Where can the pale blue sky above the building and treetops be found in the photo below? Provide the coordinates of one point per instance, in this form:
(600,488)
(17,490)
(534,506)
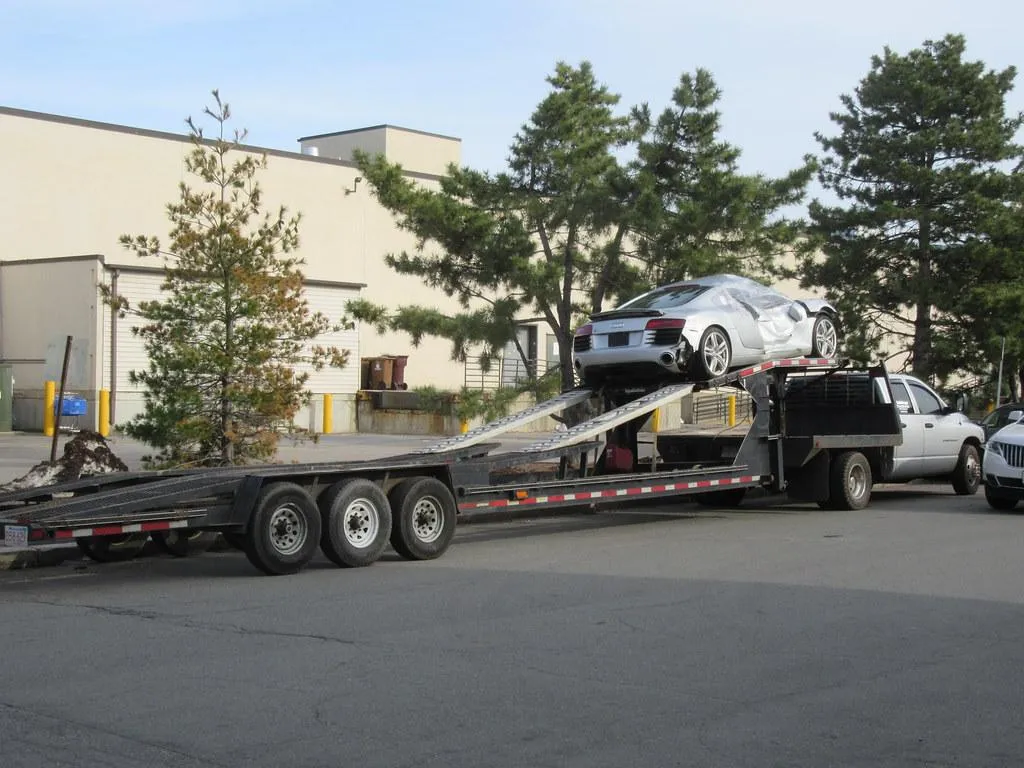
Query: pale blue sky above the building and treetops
(474,70)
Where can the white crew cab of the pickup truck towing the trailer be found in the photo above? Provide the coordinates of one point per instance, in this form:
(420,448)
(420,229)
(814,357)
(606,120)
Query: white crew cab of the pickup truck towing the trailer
(938,441)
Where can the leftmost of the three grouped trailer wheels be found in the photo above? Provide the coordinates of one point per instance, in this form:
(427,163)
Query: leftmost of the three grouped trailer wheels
(285,530)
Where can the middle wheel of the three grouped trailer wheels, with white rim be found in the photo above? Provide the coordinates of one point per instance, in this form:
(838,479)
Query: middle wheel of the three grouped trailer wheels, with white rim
(357,523)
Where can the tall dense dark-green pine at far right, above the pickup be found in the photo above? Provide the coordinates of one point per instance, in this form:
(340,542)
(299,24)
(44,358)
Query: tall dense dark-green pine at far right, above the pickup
(919,169)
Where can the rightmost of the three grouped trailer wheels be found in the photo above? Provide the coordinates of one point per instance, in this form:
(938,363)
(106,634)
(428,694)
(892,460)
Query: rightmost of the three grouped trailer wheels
(424,519)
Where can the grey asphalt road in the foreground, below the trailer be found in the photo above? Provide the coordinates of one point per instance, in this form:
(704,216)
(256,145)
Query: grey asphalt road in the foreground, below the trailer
(646,636)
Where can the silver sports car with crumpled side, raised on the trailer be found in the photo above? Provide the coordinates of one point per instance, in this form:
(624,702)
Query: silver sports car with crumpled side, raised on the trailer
(702,328)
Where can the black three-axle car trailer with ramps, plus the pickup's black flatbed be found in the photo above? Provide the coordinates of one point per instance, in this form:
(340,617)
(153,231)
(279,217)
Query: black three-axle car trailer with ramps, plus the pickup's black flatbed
(820,432)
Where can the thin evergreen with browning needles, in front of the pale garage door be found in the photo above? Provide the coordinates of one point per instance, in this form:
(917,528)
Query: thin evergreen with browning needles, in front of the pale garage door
(226,337)
